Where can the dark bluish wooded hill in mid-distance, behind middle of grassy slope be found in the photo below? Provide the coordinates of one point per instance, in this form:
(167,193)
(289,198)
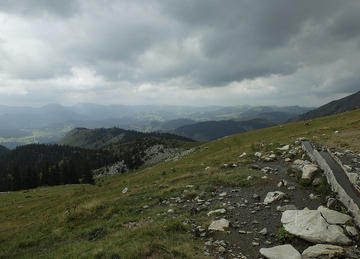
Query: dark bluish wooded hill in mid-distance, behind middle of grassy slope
(211,130)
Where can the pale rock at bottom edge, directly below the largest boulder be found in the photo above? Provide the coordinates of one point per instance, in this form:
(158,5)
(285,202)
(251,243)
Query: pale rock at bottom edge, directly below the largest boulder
(328,251)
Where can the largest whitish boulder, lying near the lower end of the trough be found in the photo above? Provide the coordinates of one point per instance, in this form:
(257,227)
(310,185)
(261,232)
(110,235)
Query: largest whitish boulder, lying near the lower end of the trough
(311,226)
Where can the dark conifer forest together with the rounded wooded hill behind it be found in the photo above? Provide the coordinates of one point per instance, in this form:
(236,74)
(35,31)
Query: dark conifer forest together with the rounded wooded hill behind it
(35,165)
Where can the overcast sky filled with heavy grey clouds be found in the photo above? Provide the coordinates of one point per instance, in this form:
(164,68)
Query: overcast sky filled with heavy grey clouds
(199,52)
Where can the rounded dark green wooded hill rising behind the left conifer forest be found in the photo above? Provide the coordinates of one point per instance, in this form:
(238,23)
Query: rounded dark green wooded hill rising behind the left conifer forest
(100,138)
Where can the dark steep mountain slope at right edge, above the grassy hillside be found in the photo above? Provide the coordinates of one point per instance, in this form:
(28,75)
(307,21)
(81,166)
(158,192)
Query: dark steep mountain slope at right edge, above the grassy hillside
(342,105)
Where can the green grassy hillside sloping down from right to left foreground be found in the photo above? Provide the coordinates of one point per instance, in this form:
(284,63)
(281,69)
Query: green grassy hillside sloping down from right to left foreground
(102,222)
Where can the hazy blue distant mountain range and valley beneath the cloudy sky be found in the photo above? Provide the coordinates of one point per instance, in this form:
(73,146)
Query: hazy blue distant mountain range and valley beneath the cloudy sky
(48,124)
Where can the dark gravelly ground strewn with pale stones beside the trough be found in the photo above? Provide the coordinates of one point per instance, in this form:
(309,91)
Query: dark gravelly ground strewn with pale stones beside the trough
(241,221)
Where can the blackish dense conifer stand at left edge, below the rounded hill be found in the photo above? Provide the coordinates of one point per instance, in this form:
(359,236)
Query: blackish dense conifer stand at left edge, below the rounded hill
(39,164)
